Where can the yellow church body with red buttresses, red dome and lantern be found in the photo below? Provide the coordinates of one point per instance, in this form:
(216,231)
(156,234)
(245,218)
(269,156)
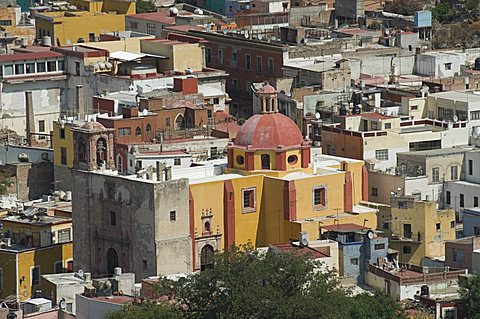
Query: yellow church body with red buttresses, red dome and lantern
(271,191)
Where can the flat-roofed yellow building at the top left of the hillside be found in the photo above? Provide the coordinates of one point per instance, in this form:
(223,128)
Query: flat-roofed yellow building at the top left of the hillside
(89,20)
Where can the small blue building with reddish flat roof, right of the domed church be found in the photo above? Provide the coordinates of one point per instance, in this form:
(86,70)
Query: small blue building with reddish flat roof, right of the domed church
(358,247)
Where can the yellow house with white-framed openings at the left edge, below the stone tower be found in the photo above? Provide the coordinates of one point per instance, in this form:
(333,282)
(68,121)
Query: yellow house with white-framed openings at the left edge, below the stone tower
(34,244)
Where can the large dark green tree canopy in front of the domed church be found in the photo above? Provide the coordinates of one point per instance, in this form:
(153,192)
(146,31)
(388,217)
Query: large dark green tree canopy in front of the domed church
(242,283)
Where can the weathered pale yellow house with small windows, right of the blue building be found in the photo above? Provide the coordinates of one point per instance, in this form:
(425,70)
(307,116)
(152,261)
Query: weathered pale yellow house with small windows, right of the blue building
(417,229)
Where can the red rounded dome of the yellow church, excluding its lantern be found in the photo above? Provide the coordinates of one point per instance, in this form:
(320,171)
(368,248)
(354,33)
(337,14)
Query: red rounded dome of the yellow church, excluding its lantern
(268,131)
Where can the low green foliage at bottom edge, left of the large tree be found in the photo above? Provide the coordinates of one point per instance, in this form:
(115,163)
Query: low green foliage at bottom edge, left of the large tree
(146,310)
